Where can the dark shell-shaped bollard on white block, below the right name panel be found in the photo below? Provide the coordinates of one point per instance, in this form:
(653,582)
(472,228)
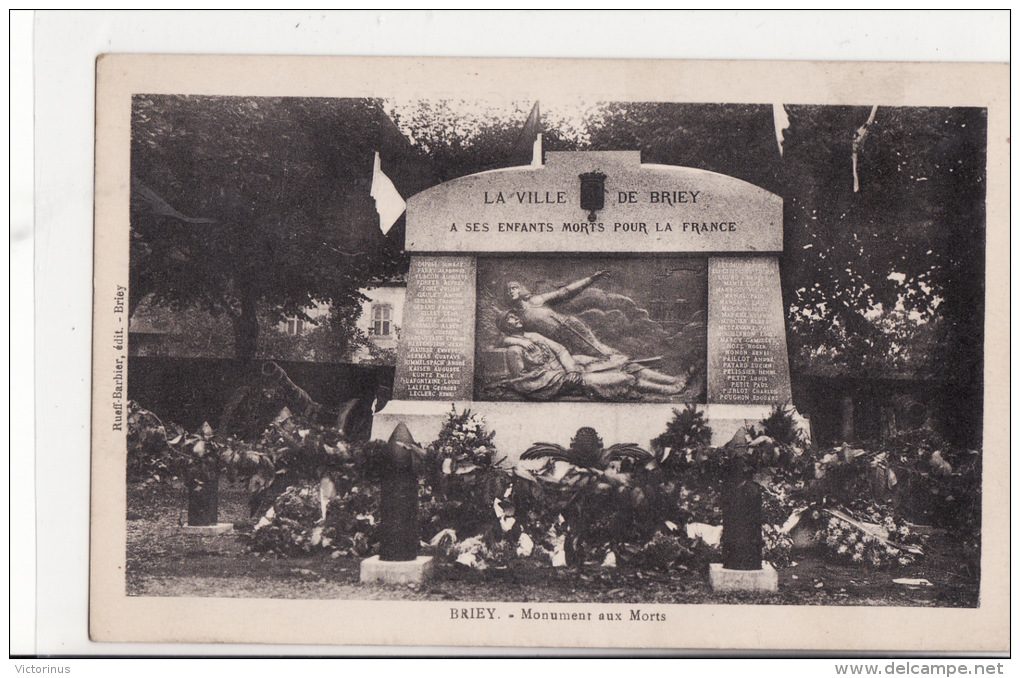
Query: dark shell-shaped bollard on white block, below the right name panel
(743,568)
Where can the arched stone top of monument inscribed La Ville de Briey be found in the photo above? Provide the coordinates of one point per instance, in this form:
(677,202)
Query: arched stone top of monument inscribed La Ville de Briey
(601,202)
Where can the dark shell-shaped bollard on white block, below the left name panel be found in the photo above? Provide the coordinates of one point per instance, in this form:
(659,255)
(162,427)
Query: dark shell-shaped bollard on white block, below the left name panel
(398,562)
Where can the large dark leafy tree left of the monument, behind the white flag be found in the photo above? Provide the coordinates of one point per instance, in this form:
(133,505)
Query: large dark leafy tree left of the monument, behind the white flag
(276,196)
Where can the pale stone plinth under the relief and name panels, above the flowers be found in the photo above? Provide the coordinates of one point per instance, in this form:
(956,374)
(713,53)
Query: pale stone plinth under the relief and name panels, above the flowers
(520,426)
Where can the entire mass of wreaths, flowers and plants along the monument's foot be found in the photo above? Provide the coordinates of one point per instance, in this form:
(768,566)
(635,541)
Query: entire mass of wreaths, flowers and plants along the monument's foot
(584,504)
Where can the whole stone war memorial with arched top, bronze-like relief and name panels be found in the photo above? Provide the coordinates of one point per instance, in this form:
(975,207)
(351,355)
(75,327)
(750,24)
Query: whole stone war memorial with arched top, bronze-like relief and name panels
(592,291)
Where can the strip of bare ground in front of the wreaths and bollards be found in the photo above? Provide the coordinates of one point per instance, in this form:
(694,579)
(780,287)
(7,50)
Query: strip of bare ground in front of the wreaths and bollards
(164,562)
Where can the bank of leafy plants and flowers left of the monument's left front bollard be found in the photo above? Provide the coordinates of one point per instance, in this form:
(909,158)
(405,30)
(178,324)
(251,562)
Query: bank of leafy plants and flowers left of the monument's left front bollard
(315,483)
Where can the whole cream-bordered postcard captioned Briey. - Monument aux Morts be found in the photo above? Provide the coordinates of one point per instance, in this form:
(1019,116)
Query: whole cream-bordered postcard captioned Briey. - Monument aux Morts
(551,353)
